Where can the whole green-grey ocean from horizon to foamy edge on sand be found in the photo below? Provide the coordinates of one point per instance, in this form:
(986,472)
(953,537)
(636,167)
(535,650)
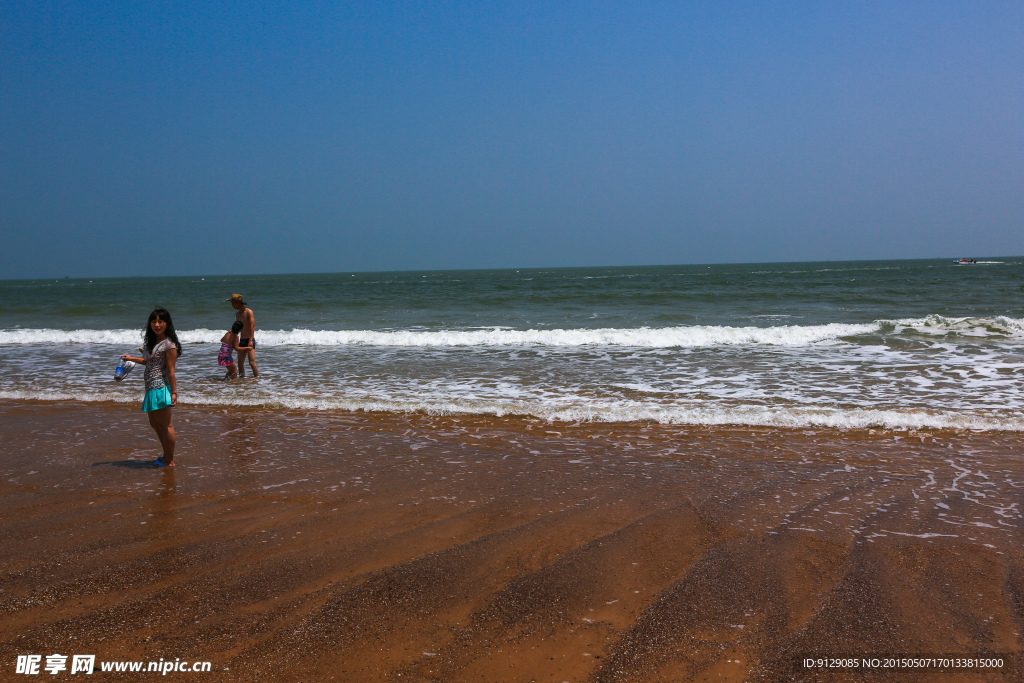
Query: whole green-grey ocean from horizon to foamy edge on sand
(894,346)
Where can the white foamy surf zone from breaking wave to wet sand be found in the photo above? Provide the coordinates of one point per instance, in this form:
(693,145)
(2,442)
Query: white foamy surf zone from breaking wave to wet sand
(786,376)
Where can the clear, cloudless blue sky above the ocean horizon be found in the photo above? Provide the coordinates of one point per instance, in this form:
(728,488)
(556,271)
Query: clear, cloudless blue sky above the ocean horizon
(243,138)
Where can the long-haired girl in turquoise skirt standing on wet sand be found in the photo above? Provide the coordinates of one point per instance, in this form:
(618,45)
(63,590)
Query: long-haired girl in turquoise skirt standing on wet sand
(160,353)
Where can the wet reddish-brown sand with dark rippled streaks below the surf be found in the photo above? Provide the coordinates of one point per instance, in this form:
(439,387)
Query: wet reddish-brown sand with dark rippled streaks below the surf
(353,547)
